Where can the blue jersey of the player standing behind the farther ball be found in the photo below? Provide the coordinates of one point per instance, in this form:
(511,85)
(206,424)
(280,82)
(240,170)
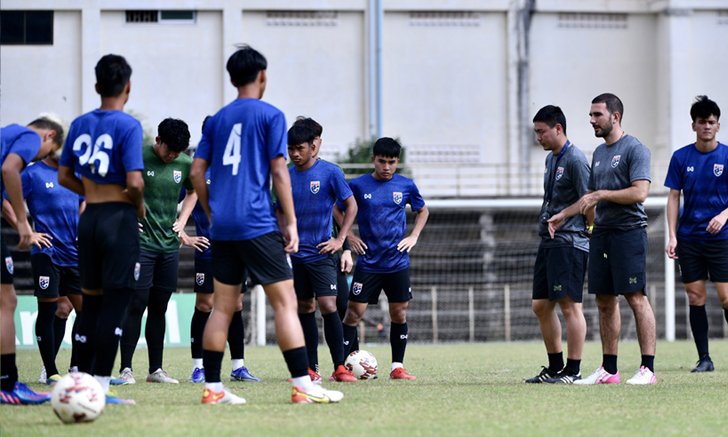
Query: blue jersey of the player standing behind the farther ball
(382,220)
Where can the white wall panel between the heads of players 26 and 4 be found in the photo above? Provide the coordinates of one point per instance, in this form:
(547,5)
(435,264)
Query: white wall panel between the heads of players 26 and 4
(177,68)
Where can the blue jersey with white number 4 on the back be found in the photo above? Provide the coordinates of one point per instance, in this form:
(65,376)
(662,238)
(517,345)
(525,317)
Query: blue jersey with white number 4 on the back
(238,143)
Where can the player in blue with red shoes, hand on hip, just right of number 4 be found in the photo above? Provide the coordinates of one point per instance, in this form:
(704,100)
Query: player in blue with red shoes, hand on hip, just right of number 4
(317,185)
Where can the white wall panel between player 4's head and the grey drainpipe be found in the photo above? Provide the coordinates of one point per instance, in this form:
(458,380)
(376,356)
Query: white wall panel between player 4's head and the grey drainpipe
(315,69)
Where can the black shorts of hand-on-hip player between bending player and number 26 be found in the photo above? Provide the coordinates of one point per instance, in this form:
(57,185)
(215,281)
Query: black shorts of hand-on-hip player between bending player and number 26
(51,280)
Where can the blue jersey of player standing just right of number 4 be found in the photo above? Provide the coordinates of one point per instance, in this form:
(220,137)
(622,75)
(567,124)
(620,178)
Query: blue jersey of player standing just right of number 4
(315,190)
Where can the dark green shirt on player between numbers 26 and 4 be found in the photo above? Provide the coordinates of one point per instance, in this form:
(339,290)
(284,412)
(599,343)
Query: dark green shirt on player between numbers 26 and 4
(162,186)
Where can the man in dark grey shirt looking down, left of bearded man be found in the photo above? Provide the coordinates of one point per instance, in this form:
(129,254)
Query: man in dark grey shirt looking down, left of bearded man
(561,260)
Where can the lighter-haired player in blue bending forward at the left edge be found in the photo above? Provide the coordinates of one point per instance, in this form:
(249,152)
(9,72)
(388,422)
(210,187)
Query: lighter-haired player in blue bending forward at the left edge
(18,147)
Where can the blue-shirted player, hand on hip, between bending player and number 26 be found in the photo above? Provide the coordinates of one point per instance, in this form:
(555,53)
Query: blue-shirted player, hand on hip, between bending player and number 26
(54,258)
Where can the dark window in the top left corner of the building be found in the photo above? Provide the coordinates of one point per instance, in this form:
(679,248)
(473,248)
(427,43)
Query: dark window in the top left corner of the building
(26,27)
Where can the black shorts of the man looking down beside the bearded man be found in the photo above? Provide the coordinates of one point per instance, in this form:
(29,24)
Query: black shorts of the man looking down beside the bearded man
(559,272)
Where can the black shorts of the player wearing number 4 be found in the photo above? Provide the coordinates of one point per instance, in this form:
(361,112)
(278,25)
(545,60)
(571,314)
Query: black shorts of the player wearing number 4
(262,258)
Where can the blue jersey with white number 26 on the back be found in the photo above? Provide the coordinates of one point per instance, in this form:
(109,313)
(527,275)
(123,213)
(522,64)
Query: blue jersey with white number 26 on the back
(103,146)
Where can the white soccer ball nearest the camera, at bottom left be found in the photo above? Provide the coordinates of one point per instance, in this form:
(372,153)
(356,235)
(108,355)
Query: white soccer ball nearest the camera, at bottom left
(78,397)
